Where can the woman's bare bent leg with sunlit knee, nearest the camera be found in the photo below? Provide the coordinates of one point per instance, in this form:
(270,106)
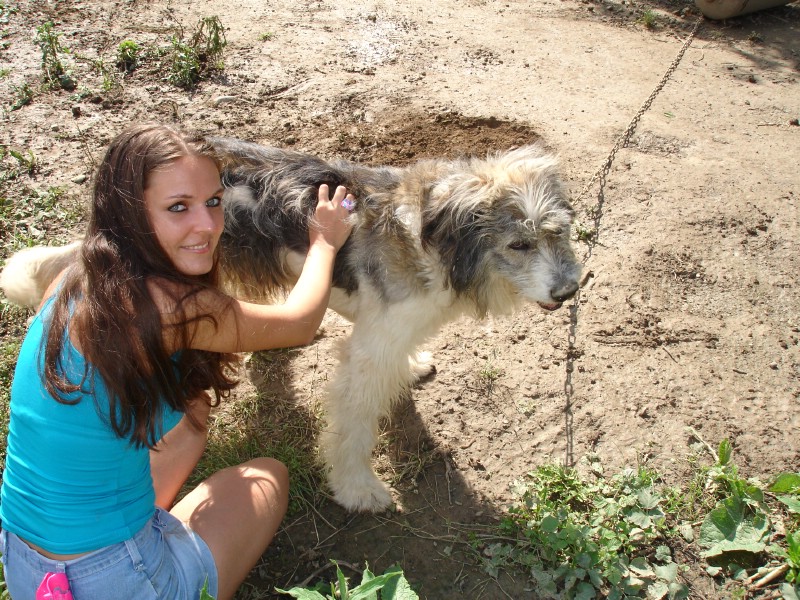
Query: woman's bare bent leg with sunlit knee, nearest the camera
(237,512)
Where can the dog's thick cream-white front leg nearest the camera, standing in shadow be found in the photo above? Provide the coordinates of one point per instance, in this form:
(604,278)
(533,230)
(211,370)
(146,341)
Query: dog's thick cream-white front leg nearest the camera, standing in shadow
(374,371)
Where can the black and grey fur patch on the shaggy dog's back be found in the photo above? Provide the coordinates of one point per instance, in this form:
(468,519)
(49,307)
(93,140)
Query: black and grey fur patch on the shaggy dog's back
(284,184)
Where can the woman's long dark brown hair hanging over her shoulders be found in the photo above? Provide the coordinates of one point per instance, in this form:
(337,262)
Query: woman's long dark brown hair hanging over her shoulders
(119,328)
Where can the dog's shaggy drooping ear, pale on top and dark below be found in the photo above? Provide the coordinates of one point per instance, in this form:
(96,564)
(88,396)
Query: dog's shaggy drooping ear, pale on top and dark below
(454,224)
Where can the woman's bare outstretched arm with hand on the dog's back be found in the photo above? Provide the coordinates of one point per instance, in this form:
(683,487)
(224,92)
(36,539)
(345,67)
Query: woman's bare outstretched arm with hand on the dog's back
(244,327)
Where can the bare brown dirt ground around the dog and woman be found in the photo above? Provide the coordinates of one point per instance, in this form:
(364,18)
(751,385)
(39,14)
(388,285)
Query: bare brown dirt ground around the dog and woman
(691,315)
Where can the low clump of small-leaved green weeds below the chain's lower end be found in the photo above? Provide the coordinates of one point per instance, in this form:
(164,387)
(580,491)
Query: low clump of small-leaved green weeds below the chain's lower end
(581,538)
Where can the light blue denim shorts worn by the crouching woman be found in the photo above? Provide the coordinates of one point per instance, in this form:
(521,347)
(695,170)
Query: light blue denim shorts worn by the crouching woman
(165,560)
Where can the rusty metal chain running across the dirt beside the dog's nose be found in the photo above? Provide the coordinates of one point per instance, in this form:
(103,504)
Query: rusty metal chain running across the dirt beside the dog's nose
(597,211)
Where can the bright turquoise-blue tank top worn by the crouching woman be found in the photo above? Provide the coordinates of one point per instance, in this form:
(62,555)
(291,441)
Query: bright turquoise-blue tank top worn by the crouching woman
(70,484)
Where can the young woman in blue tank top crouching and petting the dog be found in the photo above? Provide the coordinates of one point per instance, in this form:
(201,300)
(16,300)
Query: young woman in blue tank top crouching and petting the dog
(115,380)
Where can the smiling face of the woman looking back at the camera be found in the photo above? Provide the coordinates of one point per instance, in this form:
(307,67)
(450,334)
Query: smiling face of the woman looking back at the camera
(184,204)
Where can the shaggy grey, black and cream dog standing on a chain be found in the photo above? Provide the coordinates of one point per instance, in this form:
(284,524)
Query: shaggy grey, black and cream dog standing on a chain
(431,242)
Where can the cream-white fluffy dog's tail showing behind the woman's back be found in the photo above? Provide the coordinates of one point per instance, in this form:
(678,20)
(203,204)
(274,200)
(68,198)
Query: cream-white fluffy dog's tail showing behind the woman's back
(29,272)
